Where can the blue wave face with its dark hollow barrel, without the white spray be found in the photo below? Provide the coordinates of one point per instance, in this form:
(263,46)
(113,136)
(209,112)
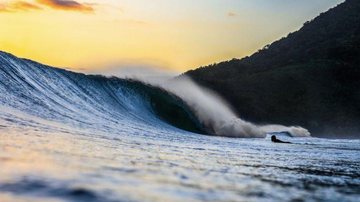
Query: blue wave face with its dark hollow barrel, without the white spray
(63,98)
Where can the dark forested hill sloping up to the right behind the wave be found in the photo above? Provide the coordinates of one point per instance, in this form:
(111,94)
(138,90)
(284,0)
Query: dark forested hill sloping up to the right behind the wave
(310,78)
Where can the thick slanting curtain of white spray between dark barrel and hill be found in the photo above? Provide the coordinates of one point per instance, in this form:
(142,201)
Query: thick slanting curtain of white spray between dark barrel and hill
(212,111)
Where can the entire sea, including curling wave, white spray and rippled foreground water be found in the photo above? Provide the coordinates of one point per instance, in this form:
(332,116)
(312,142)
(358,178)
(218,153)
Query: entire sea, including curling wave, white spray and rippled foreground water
(71,137)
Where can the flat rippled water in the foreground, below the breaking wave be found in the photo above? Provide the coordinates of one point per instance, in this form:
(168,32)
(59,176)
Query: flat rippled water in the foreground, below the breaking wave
(45,166)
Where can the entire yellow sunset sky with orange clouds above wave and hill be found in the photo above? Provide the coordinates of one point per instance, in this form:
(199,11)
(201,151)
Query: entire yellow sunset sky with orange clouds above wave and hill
(177,35)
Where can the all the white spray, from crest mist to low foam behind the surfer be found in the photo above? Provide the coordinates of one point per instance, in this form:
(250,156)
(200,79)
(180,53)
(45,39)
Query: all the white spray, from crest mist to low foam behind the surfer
(212,111)
